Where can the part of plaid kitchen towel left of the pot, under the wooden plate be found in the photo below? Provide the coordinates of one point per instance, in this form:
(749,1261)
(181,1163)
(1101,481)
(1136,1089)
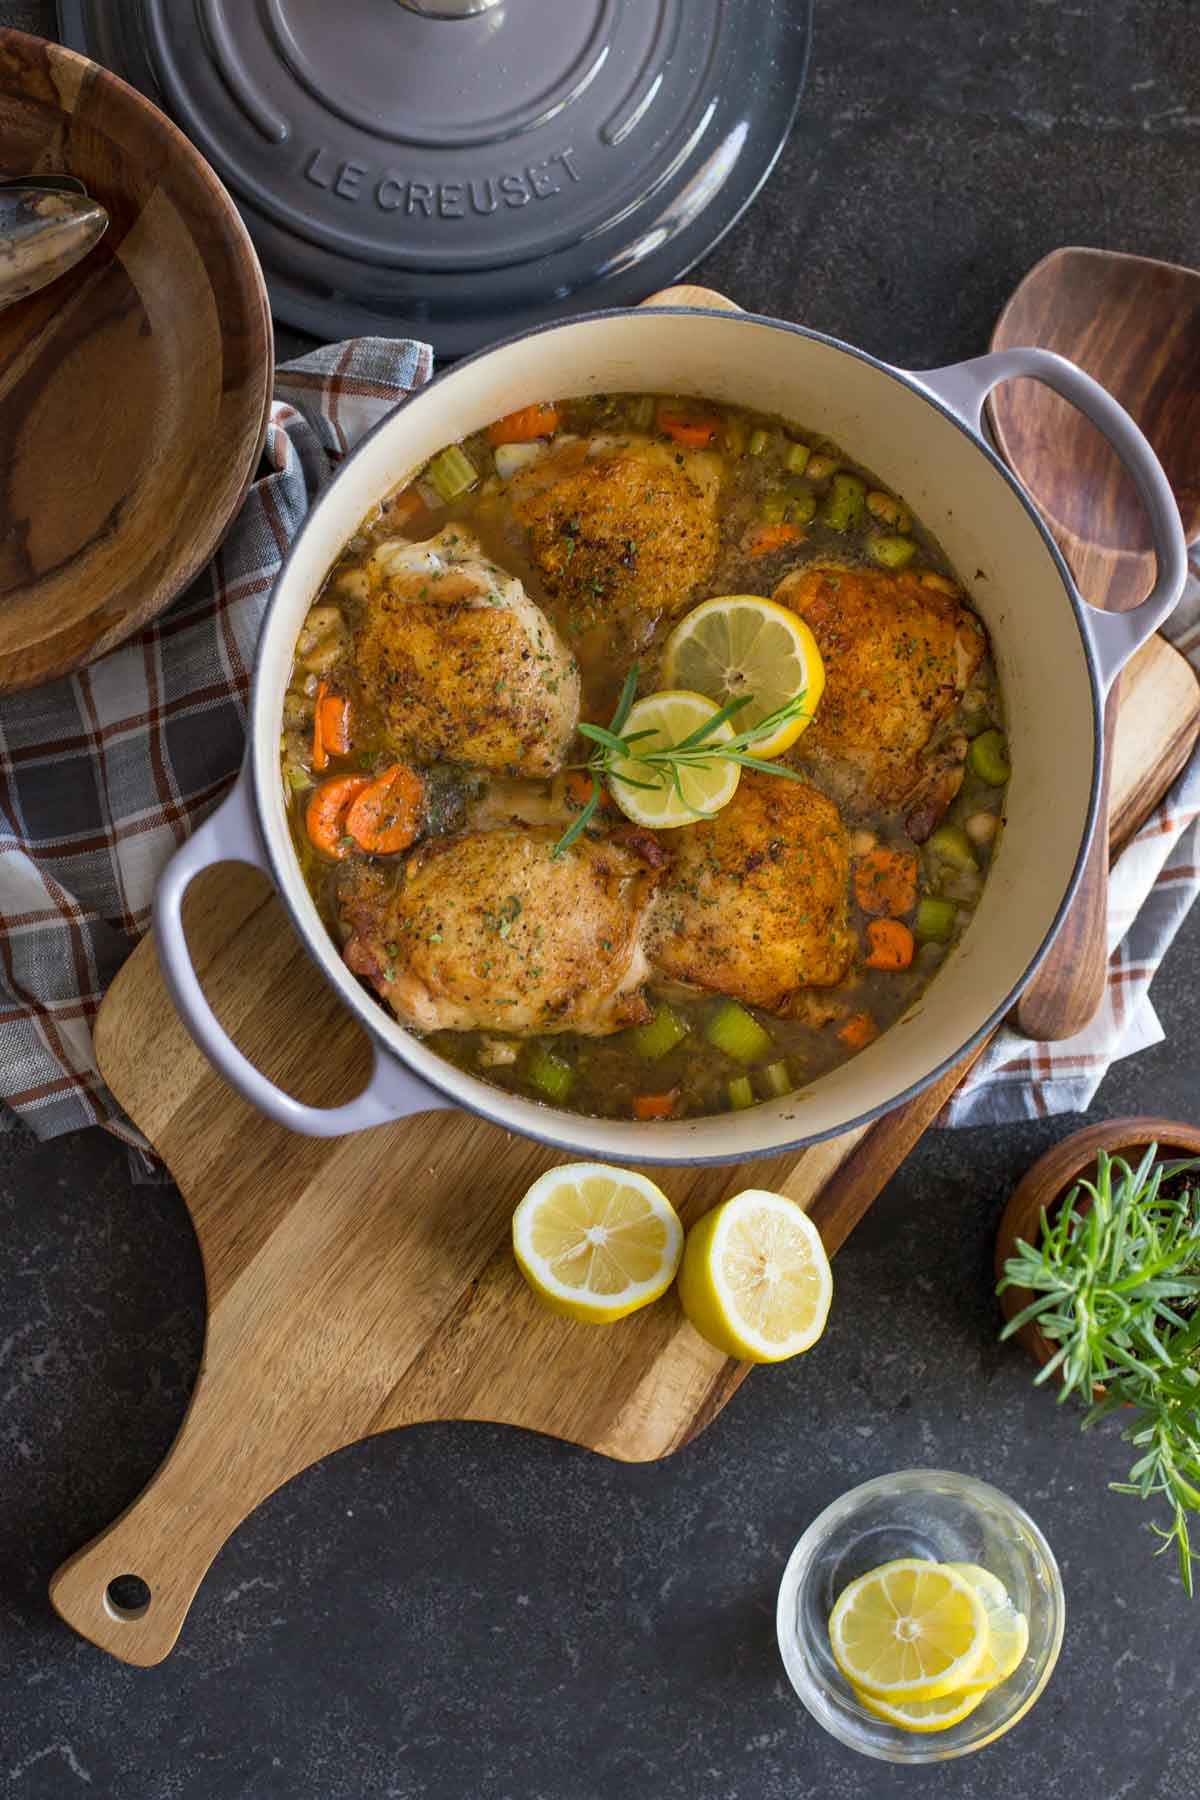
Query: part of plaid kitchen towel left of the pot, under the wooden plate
(105,775)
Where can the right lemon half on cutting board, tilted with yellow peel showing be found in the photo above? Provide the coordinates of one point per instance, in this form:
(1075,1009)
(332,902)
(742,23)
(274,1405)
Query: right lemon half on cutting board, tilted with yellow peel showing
(757,1281)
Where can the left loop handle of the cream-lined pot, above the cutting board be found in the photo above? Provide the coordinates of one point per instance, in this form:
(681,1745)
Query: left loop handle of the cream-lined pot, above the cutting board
(231,836)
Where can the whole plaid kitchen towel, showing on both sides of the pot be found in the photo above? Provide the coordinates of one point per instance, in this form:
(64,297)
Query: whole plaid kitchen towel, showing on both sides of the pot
(105,775)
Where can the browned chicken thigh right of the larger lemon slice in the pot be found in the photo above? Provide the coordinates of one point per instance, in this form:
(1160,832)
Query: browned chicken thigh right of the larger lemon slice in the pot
(899,656)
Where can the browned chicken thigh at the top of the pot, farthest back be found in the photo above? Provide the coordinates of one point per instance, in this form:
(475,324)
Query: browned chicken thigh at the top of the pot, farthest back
(620,526)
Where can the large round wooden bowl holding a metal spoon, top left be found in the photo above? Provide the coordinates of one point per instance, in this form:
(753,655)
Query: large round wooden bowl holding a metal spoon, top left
(134,391)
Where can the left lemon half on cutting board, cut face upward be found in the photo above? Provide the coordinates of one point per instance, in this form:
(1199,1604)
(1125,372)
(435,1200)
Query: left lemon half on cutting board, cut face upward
(596,1243)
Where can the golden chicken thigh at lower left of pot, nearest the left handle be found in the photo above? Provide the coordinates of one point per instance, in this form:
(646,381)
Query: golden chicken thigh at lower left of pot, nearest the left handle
(492,931)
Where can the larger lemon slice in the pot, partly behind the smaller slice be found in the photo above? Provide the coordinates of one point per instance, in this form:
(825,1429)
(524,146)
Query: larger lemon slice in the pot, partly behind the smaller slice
(742,645)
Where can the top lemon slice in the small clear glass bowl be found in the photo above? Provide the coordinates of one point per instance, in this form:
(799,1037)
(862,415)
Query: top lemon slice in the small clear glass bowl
(908,1632)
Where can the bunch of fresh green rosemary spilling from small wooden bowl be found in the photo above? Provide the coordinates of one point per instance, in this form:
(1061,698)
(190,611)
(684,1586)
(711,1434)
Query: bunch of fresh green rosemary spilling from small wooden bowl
(1116,1282)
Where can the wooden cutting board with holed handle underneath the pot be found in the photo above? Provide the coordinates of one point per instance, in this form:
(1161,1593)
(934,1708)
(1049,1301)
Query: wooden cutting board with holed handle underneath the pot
(363,1284)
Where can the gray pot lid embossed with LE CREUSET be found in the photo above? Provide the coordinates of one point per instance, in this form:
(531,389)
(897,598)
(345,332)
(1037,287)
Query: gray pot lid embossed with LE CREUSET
(467,168)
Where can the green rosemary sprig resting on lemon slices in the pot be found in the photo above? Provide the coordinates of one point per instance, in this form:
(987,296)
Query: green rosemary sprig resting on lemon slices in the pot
(699,750)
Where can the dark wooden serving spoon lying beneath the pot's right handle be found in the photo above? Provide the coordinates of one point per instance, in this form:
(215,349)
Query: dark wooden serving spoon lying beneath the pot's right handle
(1134,325)
